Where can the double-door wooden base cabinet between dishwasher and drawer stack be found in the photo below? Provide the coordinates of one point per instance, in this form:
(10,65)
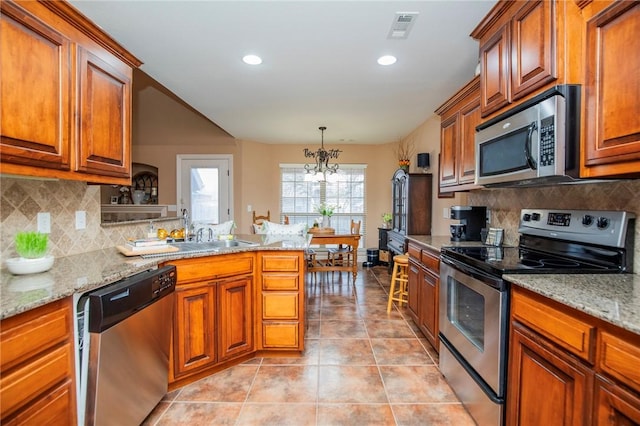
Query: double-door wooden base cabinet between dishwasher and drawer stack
(214,321)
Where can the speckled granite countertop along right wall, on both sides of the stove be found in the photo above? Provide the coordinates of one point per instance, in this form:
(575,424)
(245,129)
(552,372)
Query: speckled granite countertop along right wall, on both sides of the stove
(614,298)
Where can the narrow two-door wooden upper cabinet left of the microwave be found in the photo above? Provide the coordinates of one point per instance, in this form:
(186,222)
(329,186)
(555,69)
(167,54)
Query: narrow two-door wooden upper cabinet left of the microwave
(459,117)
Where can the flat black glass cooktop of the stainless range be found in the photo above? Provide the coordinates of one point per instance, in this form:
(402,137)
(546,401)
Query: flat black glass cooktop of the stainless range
(517,260)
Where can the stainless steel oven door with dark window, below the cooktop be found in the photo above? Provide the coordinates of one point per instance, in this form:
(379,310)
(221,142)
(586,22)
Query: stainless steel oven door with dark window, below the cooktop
(473,321)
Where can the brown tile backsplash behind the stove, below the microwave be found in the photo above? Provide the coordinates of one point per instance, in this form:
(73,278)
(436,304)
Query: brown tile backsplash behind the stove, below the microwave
(505,204)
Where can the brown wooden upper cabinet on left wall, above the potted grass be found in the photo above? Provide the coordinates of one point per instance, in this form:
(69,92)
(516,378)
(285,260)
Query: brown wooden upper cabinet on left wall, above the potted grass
(66,95)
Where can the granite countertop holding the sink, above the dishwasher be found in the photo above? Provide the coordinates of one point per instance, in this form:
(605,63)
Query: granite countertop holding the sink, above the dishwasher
(80,273)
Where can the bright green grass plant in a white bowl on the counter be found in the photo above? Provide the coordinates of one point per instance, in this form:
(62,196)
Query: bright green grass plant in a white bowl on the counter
(32,249)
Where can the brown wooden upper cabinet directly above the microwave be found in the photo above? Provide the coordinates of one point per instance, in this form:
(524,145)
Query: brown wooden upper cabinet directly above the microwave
(523,47)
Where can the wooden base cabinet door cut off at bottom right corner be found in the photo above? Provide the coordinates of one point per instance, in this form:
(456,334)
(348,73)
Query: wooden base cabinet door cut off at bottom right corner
(614,405)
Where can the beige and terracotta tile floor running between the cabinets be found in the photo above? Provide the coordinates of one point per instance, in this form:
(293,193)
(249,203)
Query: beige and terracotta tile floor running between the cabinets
(361,366)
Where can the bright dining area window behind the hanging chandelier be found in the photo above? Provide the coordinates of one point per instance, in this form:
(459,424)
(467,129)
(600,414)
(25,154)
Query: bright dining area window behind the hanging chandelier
(301,195)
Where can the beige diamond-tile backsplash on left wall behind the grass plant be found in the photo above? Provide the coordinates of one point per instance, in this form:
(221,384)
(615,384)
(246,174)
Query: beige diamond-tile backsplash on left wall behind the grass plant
(22,199)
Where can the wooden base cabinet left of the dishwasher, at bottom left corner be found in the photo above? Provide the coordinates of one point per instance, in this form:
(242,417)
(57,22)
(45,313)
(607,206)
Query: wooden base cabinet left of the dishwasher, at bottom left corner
(37,384)
